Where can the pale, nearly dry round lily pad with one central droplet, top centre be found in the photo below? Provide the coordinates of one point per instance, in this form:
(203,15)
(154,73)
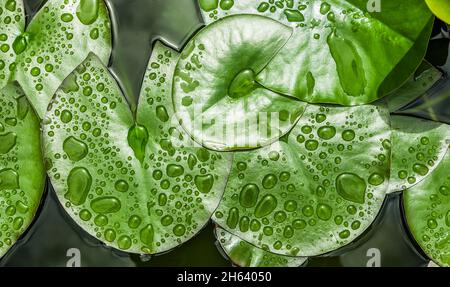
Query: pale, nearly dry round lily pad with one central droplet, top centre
(215,93)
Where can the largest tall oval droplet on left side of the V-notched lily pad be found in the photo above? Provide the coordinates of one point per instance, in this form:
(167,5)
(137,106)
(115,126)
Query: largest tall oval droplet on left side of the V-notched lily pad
(79,184)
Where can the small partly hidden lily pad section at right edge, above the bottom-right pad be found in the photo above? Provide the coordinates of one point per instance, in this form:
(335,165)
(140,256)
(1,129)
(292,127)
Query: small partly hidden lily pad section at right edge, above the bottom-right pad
(418,146)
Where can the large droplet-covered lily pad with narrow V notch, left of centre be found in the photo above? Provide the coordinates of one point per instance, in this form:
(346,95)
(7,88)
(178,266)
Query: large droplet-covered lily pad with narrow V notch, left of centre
(134,184)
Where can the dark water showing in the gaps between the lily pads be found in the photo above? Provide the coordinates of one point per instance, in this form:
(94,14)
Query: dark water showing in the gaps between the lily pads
(54,238)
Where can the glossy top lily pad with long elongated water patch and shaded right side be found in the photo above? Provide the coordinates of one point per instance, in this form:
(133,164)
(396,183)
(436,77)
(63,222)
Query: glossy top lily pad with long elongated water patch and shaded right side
(339,52)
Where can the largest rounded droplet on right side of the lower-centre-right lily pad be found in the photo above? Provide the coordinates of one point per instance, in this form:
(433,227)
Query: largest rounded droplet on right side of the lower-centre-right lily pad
(351,187)
